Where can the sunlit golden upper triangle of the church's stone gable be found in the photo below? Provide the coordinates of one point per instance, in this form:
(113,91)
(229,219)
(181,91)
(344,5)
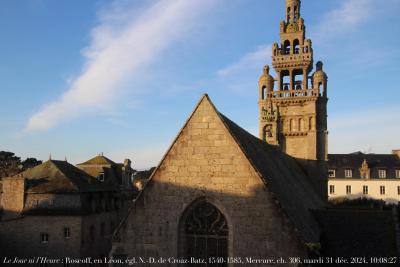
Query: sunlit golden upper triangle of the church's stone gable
(204,154)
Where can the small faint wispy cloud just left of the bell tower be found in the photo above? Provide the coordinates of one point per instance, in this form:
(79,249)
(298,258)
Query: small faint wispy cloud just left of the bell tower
(251,61)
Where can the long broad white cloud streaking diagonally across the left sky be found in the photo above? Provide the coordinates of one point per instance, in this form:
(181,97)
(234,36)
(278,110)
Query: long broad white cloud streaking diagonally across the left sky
(121,46)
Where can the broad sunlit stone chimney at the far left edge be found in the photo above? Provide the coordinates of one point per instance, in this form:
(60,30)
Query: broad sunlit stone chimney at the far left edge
(12,199)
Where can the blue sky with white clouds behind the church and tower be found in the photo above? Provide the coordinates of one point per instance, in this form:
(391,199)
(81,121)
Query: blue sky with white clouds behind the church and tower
(79,78)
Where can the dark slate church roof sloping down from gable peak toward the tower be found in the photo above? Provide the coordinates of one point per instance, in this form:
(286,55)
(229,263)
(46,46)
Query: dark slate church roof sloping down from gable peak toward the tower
(280,173)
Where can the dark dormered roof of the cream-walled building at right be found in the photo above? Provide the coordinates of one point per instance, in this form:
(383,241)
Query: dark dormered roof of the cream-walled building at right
(354,160)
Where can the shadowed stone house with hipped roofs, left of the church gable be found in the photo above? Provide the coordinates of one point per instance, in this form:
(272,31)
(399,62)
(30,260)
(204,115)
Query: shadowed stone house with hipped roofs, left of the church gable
(57,210)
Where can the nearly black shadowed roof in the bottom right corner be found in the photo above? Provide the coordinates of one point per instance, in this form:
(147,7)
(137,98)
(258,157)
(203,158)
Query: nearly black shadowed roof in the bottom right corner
(355,232)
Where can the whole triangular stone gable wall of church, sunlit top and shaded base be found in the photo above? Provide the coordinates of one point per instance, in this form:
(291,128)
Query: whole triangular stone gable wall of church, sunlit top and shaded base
(206,168)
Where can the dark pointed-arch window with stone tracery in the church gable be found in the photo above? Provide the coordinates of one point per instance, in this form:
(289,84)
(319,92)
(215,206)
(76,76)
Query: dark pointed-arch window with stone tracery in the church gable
(203,233)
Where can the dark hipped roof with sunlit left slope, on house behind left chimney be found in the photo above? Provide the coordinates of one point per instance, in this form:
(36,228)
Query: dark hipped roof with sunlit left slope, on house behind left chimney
(55,176)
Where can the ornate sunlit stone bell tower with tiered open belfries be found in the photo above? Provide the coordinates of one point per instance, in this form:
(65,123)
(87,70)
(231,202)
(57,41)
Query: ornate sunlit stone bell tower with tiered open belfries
(293,106)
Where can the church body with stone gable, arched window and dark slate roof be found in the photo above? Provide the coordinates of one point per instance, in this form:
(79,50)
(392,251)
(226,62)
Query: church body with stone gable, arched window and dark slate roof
(219,191)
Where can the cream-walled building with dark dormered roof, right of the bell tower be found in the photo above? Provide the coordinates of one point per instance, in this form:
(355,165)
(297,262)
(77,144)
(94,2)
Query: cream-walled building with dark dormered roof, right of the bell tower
(360,175)
